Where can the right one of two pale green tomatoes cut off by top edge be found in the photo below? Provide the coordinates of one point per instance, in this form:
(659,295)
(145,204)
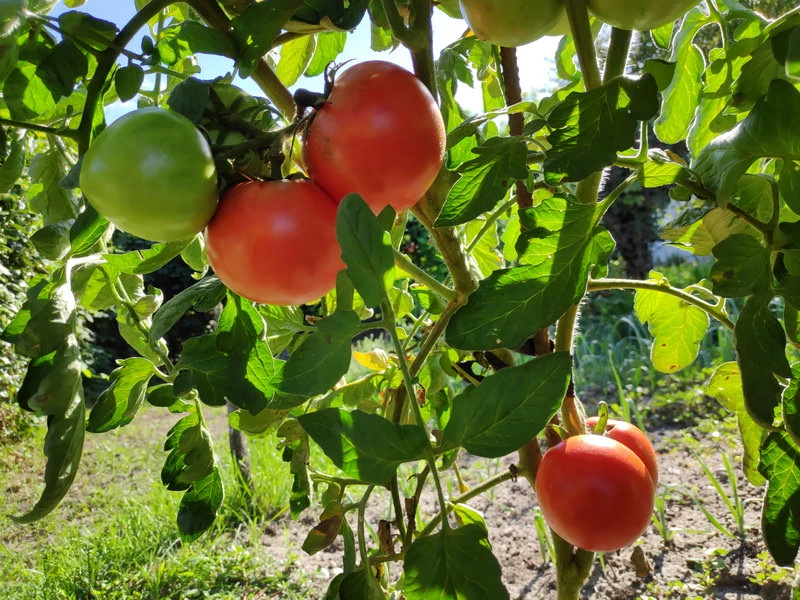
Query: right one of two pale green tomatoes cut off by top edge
(639,15)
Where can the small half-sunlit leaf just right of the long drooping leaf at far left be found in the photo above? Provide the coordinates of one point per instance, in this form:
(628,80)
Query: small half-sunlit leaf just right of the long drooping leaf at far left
(119,403)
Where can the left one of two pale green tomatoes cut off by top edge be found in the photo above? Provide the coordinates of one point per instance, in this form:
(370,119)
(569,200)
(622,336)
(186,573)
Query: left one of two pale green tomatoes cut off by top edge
(512,23)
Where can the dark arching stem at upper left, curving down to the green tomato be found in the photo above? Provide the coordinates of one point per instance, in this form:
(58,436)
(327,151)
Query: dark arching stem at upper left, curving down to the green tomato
(105,63)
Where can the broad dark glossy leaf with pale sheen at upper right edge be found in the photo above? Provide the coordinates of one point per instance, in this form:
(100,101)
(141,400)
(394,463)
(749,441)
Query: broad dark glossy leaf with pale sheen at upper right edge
(763,133)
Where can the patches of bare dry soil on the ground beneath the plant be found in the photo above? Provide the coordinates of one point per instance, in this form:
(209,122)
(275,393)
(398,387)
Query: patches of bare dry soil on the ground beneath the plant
(698,562)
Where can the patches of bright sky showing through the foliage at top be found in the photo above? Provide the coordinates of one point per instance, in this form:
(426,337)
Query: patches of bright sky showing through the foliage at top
(535,69)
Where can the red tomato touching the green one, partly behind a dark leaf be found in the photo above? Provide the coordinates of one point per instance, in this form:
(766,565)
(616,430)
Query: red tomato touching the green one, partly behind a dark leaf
(275,242)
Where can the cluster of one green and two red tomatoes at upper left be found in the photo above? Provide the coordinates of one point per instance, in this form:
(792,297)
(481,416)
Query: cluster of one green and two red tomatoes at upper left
(380,134)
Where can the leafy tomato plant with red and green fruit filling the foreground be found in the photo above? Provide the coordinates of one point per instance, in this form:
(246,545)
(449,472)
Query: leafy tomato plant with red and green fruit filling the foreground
(480,327)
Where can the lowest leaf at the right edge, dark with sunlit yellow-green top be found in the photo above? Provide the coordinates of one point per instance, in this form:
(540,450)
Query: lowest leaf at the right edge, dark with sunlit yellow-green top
(780,464)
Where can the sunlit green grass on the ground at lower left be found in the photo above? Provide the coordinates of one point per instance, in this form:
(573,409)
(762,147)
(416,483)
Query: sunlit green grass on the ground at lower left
(115,536)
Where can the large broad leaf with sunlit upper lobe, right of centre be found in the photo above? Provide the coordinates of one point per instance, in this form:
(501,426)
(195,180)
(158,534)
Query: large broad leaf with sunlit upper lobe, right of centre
(558,251)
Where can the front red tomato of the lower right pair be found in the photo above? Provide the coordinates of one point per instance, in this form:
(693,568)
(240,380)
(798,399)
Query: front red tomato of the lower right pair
(594,492)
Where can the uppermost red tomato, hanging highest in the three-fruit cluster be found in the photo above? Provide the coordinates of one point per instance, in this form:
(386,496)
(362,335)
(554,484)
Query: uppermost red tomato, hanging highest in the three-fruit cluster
(380,134)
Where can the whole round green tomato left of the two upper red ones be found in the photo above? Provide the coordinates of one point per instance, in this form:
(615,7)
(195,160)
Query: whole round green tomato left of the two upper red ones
(151,173)
